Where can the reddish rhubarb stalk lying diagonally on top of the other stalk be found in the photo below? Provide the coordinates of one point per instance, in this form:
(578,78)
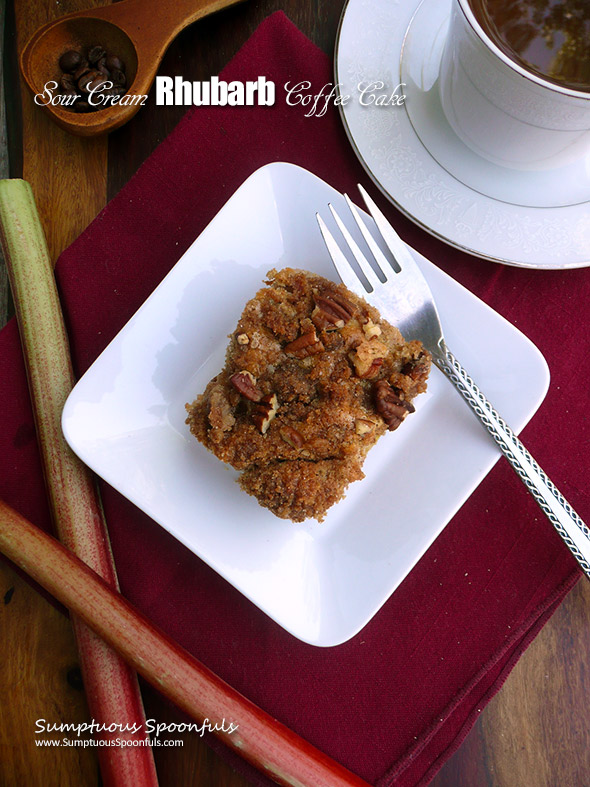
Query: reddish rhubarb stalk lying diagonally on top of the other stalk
(266,743)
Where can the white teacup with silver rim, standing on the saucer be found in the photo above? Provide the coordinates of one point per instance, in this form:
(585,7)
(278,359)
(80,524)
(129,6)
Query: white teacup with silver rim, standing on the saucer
(503,112)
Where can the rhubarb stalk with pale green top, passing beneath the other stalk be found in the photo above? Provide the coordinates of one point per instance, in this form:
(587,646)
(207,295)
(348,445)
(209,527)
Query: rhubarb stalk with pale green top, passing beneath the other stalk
(111,686)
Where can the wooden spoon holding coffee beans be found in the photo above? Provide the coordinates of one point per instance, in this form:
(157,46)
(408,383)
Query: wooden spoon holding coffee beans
(136,31)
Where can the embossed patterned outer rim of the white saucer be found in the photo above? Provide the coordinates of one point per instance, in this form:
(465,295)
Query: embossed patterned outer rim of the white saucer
(369,46)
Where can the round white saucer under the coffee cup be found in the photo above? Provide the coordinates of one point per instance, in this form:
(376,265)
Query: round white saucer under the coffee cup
(529,219)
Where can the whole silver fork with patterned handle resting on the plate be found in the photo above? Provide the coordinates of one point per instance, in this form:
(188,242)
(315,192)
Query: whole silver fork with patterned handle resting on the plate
(406,294)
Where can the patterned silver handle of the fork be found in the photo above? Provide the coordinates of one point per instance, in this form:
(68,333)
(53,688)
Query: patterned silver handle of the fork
(559,512)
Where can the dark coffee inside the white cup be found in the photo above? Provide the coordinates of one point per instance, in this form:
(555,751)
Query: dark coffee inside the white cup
(550,38)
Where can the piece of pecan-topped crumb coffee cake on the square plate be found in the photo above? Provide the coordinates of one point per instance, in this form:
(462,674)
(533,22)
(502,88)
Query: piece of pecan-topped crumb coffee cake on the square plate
(313,377)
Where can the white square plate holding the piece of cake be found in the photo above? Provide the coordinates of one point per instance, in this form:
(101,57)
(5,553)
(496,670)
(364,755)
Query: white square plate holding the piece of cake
(322,582)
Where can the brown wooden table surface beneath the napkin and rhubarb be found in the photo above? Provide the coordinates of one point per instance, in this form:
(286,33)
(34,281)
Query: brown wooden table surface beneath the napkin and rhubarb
(535,733)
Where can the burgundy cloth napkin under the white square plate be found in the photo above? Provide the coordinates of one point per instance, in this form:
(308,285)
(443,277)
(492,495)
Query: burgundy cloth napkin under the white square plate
(396,700)
